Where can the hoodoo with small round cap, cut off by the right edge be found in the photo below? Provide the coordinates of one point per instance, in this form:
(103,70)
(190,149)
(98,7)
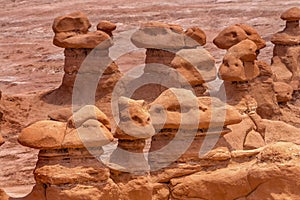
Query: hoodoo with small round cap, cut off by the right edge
(286,51)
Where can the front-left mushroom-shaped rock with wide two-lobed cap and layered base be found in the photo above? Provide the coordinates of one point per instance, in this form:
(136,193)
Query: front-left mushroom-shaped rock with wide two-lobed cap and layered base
(66,159)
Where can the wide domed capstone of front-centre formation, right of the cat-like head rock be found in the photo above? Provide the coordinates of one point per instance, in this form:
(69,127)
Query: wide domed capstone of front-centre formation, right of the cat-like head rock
(174,106)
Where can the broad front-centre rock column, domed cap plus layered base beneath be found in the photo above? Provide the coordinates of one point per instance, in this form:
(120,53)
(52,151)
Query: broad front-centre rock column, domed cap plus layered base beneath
(182,122)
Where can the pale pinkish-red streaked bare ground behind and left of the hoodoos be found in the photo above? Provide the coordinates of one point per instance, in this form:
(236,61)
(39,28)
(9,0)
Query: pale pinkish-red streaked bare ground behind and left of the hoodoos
(30,63)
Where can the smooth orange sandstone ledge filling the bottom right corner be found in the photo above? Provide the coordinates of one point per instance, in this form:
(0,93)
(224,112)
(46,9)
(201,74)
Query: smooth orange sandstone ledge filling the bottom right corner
(251,180)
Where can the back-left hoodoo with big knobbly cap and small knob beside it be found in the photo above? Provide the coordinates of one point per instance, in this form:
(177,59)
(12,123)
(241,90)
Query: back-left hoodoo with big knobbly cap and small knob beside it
(86,56)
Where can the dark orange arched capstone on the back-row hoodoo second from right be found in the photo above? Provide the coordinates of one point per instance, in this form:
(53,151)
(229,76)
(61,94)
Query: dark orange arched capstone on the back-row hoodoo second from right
(234,34)
